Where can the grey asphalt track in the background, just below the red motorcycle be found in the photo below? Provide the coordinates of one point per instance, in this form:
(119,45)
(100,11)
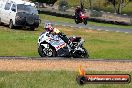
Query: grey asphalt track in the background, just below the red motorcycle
(91,27)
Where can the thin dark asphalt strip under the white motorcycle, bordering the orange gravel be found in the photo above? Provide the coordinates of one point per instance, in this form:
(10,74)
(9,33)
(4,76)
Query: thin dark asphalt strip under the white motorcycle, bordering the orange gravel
(61,58)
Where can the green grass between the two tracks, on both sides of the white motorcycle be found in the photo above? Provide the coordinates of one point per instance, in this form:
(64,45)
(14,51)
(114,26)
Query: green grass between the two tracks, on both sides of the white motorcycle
(107,45)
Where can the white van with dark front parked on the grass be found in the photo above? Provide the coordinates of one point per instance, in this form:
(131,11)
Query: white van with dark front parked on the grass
(19,13)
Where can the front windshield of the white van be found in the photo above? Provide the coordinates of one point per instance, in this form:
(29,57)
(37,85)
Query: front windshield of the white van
(27,9)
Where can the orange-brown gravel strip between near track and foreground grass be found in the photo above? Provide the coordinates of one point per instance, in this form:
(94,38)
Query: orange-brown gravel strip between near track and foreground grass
(70,65)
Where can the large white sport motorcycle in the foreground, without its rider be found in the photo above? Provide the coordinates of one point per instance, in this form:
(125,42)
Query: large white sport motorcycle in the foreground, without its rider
(50,45)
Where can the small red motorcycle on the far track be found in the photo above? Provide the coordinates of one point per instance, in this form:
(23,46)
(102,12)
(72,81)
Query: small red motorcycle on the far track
(81,19)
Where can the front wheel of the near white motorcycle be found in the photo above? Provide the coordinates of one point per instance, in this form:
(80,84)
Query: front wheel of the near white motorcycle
(46,52)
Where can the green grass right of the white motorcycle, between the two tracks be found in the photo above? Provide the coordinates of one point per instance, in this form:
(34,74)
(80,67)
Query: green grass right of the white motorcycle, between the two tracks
(105,44)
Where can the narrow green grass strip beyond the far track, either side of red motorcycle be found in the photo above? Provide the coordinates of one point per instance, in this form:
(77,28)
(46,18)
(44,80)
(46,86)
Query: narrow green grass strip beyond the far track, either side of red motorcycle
(61,19)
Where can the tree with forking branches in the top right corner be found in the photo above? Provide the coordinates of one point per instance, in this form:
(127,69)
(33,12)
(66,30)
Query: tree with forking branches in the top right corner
(119,5)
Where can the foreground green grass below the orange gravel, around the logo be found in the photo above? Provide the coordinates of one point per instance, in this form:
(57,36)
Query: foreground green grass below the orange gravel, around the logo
(52,79)
